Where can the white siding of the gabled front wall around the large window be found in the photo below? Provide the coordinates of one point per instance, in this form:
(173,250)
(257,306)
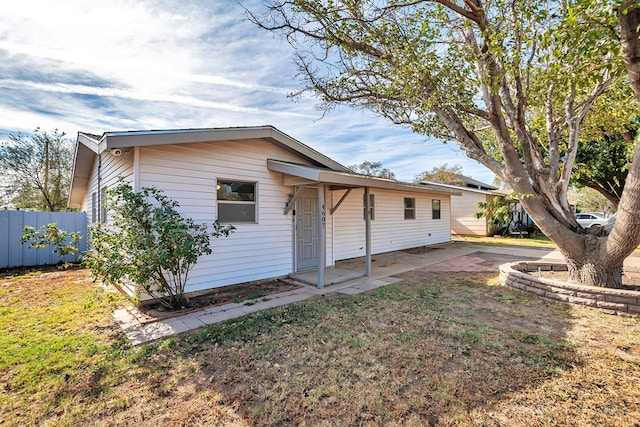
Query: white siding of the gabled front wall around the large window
(188,173)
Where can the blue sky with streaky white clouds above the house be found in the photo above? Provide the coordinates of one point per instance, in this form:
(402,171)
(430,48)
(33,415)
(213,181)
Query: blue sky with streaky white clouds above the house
(112,65)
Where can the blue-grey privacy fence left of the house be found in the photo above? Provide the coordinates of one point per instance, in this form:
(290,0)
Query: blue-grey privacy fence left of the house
(14,254)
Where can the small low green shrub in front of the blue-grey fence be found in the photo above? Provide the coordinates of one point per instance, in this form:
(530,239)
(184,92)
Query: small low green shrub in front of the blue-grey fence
(65,242)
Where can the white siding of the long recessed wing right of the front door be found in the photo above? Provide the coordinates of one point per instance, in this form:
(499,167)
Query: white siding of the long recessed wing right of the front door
(389,230)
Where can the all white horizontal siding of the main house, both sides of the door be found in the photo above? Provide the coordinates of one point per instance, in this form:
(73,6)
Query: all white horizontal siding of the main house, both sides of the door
(188,173)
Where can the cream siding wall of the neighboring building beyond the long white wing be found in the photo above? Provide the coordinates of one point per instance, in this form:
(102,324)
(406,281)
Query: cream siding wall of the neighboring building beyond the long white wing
(463,208)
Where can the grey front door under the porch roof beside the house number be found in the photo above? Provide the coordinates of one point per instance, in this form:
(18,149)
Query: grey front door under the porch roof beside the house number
(307,229)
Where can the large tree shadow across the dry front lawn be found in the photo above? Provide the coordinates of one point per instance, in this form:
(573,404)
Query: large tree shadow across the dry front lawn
(433,349)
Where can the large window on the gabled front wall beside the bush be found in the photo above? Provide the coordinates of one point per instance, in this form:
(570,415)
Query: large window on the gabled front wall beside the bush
(236,201)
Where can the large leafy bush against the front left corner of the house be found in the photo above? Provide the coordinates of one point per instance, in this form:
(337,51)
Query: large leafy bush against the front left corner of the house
(149,243)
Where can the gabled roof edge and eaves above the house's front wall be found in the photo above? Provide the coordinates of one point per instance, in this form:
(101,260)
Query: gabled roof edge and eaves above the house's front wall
(89,146)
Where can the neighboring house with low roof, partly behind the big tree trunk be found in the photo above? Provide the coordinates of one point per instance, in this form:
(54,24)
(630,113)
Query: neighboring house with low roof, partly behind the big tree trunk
(464,208)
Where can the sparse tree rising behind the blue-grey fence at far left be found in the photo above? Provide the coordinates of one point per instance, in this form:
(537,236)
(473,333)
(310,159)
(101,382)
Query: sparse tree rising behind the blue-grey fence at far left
(37,170)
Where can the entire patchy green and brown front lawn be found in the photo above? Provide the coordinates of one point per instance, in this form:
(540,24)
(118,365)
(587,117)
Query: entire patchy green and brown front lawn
(439,349)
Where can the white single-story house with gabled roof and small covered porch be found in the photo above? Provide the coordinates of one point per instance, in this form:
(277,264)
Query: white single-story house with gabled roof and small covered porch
(293,207)
